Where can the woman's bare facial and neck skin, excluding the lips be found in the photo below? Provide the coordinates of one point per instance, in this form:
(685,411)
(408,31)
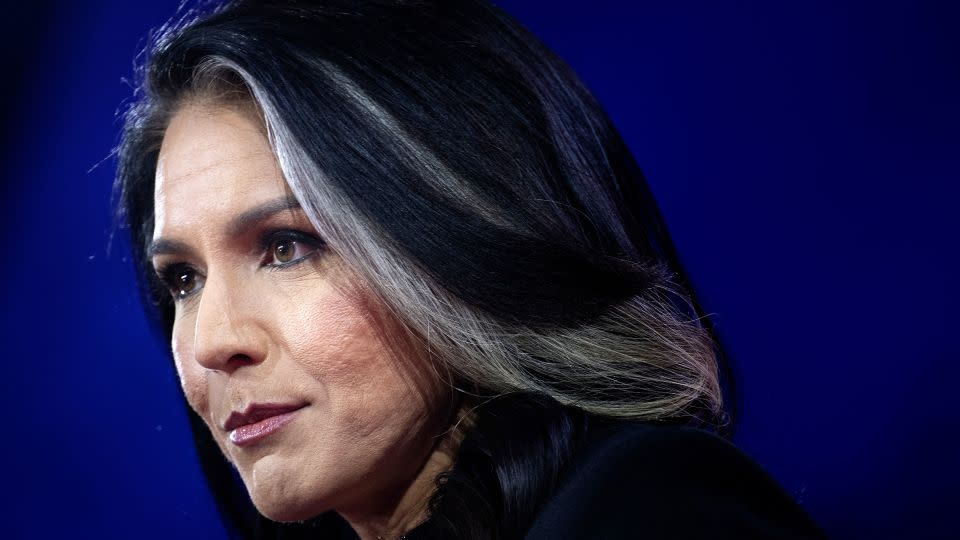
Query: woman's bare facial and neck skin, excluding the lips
(372,434)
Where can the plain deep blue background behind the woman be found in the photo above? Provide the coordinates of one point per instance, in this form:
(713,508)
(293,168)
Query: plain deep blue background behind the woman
(806,158)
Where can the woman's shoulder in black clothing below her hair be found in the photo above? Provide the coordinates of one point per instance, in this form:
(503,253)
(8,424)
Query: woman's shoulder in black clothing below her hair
(657,481)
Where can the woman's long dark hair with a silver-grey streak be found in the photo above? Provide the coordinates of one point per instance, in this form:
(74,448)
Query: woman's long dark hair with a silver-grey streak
(463,171)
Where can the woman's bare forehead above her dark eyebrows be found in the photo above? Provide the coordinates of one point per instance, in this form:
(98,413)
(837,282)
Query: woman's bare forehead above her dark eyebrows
(213,162)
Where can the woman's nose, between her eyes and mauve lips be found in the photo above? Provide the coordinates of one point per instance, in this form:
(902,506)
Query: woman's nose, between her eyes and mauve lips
(226,334)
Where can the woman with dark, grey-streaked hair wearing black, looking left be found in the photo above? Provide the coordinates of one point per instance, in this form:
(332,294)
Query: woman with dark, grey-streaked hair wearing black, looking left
(416,287)
